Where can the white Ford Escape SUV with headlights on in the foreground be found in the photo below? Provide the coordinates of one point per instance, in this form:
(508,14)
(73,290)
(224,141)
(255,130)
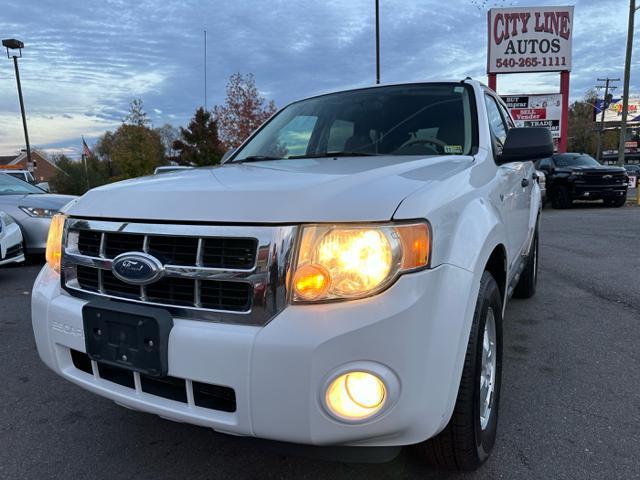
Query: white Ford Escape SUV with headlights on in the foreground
(341,280)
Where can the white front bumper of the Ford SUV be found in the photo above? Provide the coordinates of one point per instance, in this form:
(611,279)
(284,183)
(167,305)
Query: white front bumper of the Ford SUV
(418,329)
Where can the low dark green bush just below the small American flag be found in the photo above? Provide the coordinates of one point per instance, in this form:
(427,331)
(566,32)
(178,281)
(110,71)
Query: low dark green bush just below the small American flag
(73,178)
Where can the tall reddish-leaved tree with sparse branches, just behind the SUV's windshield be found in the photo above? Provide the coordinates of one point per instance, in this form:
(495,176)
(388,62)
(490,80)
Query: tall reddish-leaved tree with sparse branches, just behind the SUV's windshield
(243,112)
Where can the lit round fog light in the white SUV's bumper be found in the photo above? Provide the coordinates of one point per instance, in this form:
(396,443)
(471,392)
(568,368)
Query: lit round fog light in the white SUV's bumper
(356,395)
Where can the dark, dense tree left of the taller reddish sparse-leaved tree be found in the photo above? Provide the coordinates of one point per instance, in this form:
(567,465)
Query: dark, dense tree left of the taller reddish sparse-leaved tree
(199,143)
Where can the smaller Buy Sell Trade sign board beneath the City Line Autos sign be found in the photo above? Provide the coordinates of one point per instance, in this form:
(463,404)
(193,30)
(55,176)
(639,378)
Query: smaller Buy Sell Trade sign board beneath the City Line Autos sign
(536,111)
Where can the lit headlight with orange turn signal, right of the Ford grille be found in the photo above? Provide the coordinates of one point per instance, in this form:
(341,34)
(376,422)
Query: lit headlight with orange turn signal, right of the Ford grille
(340,262)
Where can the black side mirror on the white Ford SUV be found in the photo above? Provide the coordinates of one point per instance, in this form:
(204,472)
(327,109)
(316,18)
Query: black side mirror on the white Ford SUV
(526,144)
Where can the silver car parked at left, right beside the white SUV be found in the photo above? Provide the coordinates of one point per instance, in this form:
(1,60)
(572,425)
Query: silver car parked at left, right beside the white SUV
(31,208)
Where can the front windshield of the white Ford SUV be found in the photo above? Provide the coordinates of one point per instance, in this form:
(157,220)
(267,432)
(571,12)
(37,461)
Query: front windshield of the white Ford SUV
(422,119)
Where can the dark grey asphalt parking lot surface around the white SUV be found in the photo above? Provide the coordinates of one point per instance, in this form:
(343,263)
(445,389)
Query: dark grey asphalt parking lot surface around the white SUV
(570,401)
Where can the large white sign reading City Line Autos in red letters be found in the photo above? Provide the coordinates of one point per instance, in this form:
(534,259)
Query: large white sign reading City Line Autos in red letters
(530,39)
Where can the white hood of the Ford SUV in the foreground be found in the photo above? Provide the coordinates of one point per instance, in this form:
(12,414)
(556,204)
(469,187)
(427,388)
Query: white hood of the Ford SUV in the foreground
(280,191)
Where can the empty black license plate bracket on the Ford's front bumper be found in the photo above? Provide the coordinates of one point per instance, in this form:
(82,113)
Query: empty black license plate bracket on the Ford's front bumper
(128,336)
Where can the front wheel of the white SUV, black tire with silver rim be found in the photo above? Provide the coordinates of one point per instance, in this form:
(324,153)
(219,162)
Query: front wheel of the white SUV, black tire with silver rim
(467,440)
